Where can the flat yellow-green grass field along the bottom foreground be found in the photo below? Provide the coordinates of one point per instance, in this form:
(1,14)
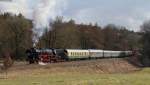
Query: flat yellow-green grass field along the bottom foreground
(41,77)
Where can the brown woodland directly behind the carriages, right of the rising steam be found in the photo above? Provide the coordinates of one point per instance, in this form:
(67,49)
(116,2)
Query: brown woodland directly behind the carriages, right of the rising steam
(68,34)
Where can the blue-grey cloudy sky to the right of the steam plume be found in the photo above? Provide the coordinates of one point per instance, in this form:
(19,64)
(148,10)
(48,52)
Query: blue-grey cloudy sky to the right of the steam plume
(129,13)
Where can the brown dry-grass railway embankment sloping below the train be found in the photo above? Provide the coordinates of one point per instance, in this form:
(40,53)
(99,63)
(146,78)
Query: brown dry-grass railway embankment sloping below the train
(116,65)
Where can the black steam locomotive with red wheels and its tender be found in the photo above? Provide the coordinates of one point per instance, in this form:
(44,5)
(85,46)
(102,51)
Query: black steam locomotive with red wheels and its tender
(46,55)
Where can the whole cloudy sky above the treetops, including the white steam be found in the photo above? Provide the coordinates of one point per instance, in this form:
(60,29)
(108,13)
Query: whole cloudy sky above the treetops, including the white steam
(129,13)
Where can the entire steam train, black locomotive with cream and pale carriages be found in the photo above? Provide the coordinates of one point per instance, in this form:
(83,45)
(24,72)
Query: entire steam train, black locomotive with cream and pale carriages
(60,55)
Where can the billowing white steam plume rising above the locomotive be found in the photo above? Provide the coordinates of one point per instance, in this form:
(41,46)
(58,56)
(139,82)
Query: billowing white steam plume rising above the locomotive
(46,11)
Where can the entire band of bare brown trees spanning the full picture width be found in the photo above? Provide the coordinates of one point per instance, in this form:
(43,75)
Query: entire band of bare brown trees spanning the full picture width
(16,35)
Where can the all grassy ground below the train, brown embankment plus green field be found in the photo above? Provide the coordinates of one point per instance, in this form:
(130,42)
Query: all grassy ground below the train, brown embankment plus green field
(99,72)
